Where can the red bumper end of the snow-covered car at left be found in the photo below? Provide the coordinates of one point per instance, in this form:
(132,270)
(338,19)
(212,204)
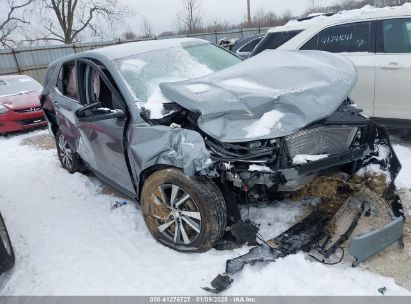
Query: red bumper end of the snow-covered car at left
(14,121)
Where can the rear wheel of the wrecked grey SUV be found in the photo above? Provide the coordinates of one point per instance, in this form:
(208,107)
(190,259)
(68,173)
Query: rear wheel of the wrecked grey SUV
(68,159)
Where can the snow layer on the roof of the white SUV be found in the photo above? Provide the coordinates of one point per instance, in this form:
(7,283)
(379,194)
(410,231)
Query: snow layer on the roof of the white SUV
(364,13)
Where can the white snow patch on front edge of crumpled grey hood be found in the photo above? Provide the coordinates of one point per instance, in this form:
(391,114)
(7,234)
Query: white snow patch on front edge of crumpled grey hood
(265,124)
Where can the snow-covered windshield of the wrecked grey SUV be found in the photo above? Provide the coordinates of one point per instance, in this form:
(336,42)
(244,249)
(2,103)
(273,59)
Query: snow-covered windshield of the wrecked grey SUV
(144,72)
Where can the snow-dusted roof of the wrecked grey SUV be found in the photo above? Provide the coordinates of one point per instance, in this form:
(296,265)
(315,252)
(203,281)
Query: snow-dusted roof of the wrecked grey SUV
(133,48)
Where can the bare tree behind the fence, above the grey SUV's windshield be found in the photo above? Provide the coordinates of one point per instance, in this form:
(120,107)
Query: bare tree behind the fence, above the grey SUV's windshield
(190,18)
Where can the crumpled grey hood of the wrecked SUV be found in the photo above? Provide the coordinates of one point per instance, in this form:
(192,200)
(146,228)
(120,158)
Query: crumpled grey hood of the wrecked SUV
(270,95)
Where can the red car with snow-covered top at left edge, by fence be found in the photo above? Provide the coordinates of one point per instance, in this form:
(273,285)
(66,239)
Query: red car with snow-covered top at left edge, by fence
(19,104)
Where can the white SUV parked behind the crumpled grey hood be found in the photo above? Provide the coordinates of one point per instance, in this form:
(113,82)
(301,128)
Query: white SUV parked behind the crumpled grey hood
(377,40)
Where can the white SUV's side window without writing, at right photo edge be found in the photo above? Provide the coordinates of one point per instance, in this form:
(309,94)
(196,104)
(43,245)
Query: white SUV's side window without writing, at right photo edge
(394,36)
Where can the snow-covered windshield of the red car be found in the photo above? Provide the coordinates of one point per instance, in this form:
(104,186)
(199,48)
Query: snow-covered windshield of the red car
(18,85)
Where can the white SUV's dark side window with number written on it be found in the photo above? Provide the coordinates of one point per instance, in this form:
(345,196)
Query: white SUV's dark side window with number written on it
(353,37)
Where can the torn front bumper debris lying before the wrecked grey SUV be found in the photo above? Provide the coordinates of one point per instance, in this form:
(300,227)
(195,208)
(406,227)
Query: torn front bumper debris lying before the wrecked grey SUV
(317,231)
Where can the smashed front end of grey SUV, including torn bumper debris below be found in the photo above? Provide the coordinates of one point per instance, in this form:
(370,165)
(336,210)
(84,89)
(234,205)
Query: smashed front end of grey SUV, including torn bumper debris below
(335,160)
